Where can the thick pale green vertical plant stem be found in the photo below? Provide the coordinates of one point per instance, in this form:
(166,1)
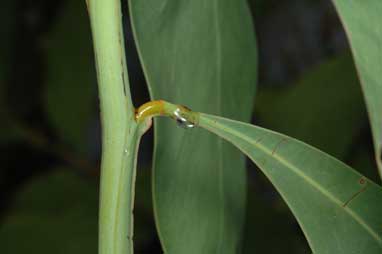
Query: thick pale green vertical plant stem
(120,132)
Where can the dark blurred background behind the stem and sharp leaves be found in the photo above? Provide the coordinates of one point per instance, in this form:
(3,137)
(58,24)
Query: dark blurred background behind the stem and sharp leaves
(50,128)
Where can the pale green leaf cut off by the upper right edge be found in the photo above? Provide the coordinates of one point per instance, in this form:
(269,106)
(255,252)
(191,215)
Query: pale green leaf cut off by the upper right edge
(362,22)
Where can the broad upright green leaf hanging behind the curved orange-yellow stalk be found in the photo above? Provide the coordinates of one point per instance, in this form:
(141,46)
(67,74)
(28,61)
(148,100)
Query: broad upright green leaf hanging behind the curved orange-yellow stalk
(203,54)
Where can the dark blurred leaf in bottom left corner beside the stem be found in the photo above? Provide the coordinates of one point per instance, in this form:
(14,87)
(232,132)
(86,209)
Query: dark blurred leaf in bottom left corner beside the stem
(53,214)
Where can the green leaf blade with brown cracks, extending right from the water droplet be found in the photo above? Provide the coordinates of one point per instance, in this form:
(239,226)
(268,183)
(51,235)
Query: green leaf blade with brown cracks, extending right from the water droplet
(338,209)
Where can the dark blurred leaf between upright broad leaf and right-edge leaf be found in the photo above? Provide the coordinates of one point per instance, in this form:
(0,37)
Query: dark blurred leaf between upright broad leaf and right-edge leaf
(324,108)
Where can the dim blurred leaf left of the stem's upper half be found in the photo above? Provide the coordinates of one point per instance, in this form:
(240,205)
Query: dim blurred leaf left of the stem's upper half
(70,83)
